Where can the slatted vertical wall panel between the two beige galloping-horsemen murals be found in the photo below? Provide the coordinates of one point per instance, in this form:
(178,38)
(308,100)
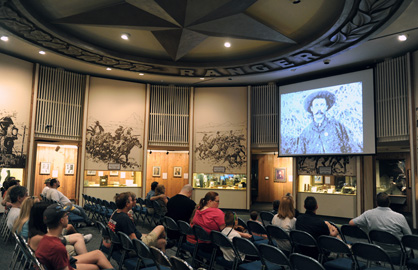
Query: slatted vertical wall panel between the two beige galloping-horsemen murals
(169,116)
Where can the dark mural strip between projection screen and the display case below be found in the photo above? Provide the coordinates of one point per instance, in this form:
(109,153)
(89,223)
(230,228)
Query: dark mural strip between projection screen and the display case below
(340,165)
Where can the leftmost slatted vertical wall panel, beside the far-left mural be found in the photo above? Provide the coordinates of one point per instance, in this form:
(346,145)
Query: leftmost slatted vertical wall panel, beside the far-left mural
(59,104)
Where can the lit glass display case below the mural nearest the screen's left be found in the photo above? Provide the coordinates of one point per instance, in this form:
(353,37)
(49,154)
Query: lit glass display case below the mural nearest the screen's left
(220,181)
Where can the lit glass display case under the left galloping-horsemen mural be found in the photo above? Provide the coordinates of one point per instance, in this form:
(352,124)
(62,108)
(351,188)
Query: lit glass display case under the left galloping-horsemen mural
(112,179)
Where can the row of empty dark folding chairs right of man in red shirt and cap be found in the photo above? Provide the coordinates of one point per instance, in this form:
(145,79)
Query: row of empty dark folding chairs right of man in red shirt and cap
(134,254)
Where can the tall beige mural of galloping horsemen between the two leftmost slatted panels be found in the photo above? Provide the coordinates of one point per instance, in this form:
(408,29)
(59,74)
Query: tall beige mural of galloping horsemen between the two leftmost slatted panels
(115,129)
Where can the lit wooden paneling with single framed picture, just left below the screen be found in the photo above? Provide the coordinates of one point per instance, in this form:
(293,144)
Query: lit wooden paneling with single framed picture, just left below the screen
(268,190)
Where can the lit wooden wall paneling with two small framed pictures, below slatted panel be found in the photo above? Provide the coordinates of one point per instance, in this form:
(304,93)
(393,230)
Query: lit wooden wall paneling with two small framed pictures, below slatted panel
(167,163)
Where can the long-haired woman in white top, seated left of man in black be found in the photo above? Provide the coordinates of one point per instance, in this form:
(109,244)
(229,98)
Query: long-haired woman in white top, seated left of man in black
(286,220)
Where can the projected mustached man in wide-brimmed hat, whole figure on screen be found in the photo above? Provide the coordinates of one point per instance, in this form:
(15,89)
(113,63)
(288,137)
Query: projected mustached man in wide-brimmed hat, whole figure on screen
(323,134)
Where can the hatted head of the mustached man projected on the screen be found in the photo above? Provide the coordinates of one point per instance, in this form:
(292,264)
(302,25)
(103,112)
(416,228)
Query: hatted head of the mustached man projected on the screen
(318,103)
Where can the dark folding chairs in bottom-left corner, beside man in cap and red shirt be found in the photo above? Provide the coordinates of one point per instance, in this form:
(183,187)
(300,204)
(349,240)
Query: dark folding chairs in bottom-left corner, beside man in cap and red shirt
(23,256)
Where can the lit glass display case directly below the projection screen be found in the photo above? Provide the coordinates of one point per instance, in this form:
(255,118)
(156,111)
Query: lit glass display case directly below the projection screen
(330,184)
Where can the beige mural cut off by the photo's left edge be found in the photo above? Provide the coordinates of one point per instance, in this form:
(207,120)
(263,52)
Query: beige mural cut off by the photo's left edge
(15,91)
